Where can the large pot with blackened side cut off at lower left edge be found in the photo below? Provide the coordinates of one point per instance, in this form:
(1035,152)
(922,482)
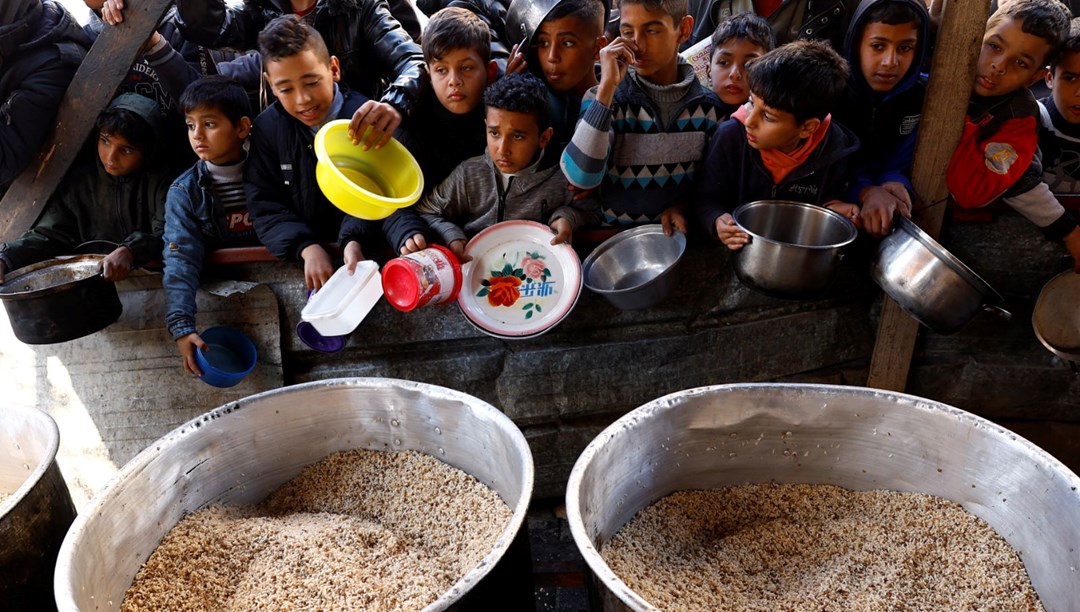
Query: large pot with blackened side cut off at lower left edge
(37,512)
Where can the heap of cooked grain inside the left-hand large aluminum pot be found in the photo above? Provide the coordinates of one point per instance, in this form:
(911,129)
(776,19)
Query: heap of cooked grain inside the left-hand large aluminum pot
(360,531)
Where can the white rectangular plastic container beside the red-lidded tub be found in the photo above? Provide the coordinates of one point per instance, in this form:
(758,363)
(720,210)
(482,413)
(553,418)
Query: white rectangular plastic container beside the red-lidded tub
(345,301)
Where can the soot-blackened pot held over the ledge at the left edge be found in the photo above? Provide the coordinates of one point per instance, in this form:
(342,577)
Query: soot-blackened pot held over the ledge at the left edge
(58,301)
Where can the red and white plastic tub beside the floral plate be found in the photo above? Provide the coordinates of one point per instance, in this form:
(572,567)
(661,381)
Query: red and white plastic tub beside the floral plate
(429,277)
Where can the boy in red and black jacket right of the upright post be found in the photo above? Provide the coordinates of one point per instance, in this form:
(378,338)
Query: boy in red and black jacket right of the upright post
(996,155)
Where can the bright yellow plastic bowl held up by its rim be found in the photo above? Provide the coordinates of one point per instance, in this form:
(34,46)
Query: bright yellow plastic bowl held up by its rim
(369,185)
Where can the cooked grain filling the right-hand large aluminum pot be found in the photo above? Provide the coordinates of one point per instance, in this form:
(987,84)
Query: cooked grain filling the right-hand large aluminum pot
(817,548)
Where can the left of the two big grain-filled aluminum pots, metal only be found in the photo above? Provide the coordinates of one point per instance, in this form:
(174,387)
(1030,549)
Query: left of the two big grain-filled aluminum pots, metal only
(240,453)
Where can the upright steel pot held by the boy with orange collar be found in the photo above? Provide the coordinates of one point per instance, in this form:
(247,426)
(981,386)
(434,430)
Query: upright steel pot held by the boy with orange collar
(794,248)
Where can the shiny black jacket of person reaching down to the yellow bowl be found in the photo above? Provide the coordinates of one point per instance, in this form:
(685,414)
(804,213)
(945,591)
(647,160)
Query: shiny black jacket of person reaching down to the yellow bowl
(371,45)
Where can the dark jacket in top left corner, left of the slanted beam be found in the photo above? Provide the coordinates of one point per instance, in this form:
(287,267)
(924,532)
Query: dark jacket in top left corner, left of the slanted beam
(40,51)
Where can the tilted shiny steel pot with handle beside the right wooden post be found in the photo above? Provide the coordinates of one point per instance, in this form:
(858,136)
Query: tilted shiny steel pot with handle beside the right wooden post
(928,282)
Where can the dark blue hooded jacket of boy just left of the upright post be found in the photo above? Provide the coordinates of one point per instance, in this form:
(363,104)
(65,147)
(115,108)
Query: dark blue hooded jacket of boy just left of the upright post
(885,124)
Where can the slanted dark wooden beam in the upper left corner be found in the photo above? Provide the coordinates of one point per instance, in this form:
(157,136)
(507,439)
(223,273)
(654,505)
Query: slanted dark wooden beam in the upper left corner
(91,90)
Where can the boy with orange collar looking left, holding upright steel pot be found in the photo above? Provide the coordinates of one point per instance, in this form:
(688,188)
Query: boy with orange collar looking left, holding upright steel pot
(784,144)
